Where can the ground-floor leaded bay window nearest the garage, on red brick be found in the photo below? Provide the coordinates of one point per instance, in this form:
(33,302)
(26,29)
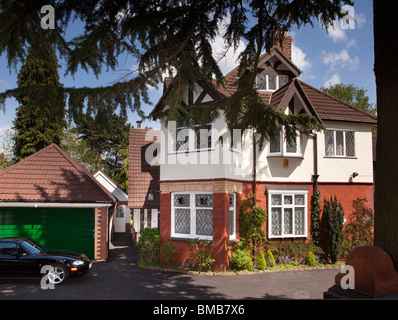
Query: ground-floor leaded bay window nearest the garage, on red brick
(192,215)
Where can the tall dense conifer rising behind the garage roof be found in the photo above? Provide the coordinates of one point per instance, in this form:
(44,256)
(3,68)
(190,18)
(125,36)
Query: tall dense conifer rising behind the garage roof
(40,116)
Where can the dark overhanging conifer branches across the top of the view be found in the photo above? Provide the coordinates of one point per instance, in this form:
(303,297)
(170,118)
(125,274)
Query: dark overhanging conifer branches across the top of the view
(168,35)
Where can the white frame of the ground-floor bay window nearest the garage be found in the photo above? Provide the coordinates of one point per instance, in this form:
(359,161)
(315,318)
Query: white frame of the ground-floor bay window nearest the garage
(192,207)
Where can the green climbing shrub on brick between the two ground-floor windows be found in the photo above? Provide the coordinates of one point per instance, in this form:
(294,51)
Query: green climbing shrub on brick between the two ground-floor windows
(251,221)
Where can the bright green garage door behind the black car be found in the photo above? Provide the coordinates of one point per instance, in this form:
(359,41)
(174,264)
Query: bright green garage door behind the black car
(56,228)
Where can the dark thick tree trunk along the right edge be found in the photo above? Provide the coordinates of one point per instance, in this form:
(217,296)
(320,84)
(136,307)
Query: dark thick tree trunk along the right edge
(386,72)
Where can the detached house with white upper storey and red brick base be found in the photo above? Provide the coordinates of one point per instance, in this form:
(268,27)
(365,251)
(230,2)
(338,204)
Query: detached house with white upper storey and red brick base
(203,182)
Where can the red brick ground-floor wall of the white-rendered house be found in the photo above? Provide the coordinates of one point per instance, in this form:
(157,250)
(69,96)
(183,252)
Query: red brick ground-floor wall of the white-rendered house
(345,193)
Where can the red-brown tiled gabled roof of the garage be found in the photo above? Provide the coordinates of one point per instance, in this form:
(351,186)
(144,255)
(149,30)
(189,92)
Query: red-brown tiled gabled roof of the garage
(51,175)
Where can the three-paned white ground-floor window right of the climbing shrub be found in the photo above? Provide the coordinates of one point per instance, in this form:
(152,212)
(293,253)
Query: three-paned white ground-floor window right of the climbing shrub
(287,213)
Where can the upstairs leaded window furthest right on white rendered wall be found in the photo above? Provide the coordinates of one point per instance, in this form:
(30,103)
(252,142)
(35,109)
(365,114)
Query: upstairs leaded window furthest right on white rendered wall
(339,143)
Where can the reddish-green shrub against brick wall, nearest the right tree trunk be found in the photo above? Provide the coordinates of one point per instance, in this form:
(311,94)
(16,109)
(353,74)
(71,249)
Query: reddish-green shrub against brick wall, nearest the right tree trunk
(359,230)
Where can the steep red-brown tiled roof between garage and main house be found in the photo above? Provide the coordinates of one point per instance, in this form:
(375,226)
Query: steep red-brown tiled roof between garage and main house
(143,178)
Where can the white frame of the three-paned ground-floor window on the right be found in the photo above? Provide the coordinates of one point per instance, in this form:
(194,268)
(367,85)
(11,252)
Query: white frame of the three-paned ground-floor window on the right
(283,193)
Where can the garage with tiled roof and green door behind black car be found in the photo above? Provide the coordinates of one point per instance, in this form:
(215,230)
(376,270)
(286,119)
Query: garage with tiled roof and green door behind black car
(52,199)
